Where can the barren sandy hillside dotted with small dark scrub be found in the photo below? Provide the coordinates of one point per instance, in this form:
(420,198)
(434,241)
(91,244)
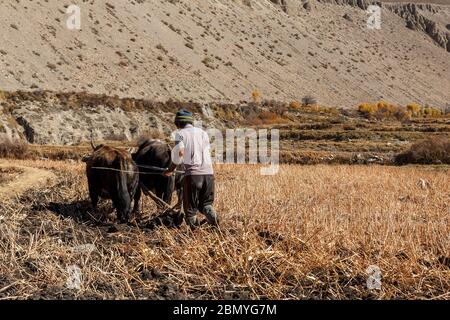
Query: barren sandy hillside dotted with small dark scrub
(223,50)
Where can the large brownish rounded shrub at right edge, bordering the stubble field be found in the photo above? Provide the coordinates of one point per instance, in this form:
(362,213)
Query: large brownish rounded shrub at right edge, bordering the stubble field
(433,150)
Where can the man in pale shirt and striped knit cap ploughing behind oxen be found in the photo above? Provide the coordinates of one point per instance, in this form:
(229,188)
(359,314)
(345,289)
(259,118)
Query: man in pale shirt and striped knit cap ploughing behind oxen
(193,147)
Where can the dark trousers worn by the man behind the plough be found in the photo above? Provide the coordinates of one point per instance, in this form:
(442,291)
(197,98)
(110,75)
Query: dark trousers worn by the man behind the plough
(198,195)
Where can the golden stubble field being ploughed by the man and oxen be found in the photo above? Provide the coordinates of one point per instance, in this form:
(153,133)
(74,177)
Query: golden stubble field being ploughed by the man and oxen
(309,232)
